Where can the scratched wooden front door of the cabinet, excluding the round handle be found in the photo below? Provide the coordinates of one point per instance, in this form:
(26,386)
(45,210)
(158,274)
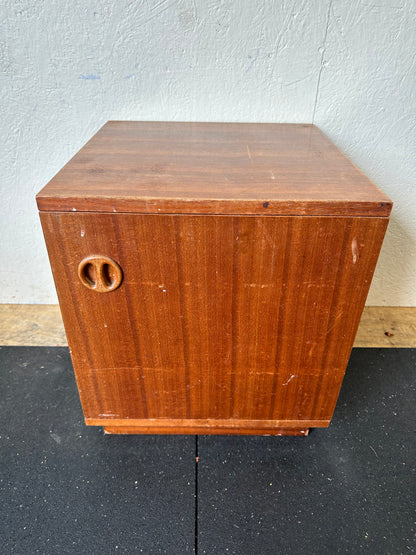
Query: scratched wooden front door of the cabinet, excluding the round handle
(216,317)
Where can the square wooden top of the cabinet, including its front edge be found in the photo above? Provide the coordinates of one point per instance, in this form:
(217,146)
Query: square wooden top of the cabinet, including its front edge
(212,168)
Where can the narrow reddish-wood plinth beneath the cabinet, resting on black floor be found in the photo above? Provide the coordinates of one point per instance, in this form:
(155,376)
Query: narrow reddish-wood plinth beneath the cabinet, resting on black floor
(202,430)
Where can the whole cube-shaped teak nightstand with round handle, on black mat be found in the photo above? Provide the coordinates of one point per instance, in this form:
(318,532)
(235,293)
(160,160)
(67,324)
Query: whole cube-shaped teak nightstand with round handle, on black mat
(211,276)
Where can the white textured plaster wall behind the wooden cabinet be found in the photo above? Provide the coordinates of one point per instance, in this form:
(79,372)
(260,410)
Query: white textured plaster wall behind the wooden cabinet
(67,67)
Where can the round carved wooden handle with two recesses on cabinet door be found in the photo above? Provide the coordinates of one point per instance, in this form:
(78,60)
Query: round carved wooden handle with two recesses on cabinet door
(100,273)
